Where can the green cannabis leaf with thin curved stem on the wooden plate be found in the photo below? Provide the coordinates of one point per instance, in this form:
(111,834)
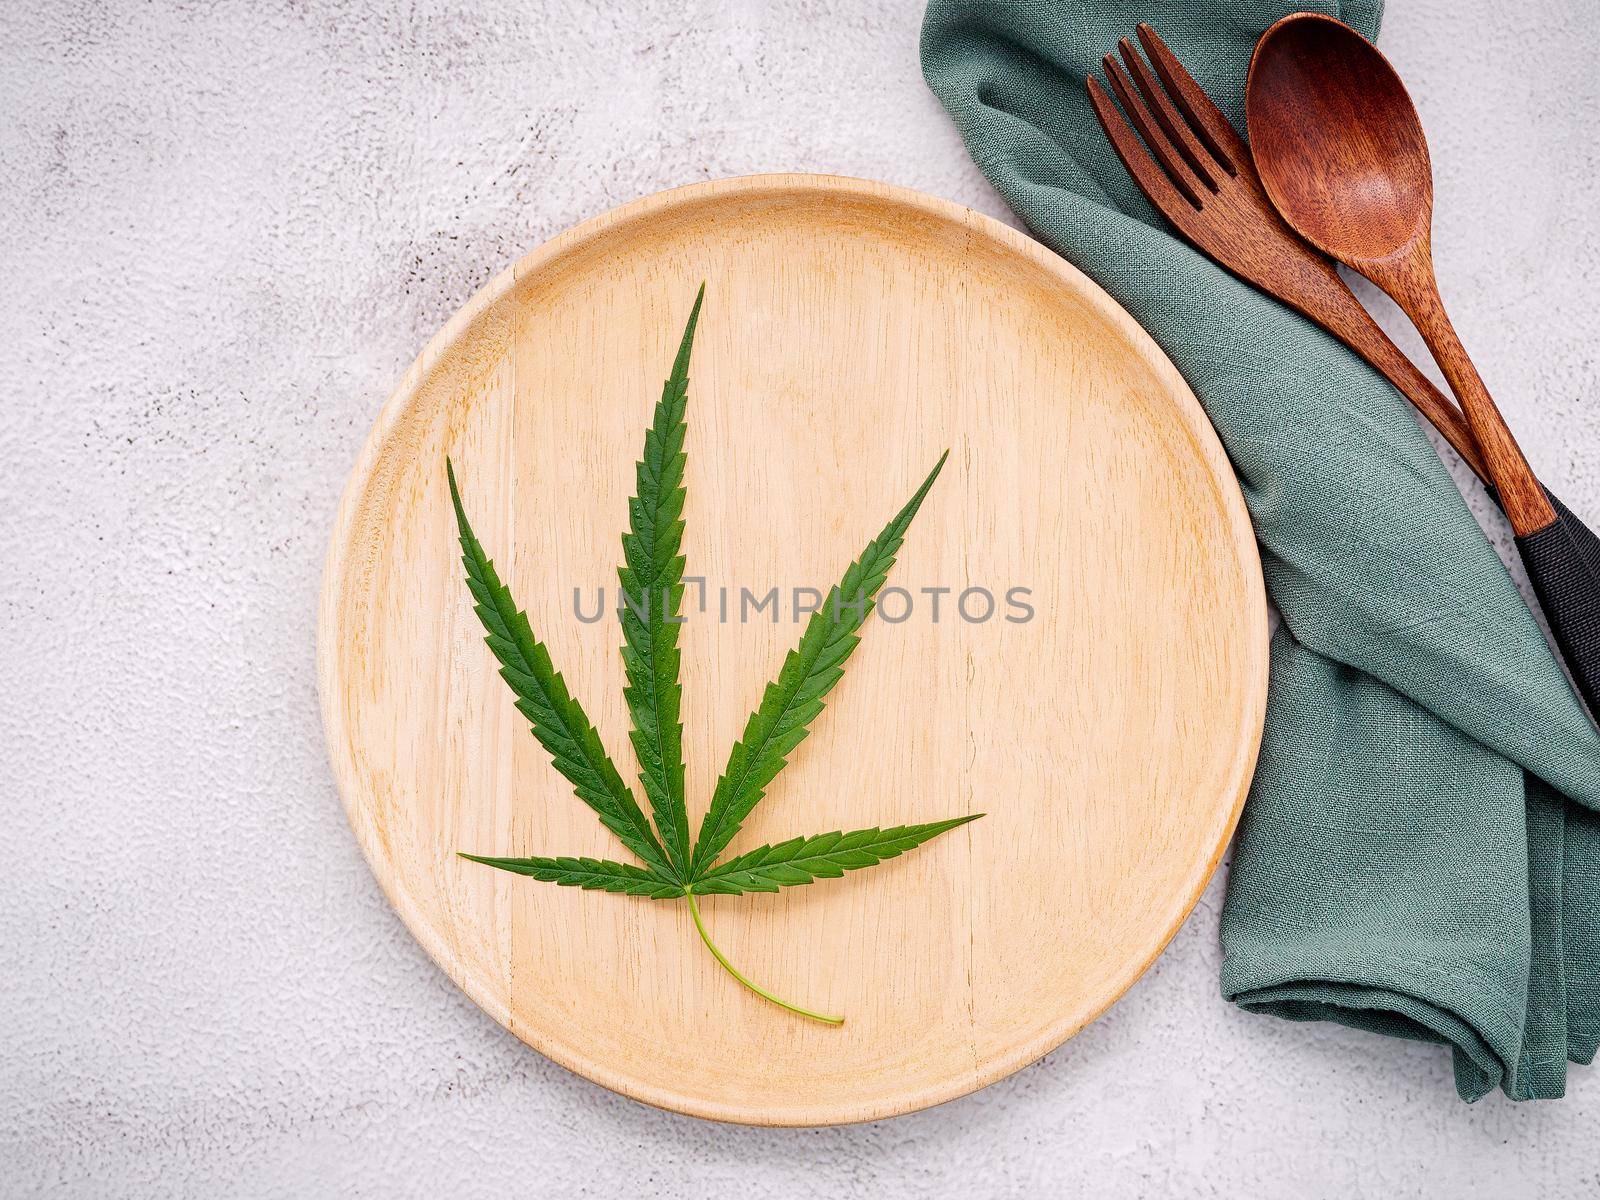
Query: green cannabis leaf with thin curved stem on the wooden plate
(652,583)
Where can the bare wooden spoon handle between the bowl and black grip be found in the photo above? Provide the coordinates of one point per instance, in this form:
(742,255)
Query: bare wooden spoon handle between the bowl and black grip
(1410,281)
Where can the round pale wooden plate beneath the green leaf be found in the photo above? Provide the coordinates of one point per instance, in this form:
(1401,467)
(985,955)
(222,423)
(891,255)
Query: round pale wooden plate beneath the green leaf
(852,332)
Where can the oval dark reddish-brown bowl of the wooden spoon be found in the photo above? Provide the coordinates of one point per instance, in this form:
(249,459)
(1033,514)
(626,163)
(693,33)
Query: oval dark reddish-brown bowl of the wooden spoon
(1337,140)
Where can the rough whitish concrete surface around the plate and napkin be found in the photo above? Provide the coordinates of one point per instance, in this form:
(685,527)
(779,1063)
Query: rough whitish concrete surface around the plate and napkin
(225,231)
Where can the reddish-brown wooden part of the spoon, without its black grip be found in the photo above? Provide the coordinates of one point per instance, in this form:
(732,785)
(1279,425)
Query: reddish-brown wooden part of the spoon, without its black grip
(1342,154)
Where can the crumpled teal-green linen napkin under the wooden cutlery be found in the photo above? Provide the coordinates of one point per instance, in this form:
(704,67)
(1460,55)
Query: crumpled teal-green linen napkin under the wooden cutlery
(1420,854)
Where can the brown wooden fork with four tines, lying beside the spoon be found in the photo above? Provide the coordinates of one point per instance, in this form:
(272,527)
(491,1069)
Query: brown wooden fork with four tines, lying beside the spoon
(1199,174)
